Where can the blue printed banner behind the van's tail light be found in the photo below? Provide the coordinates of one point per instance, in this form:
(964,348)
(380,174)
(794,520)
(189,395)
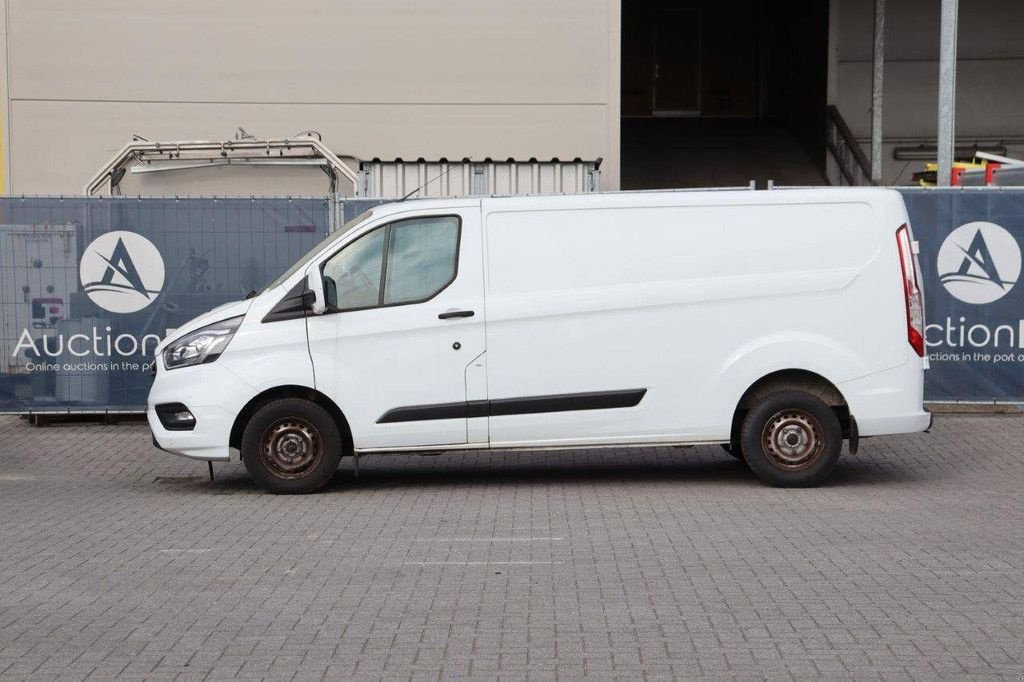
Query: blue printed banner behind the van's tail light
(974,303)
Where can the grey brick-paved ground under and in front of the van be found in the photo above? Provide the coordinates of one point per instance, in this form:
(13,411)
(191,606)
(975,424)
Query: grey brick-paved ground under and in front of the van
(118,560)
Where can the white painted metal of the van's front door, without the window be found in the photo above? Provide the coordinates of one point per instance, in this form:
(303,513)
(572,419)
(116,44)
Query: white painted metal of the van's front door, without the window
(370,362)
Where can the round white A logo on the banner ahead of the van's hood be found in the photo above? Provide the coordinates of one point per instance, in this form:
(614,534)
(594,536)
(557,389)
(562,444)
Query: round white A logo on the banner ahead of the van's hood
(122,272)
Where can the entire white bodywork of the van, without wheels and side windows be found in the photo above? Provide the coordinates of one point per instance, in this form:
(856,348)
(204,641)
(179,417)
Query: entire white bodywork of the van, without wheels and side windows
(679,302)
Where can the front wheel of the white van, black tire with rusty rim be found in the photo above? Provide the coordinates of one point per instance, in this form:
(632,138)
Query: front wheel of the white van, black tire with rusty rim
(291,446)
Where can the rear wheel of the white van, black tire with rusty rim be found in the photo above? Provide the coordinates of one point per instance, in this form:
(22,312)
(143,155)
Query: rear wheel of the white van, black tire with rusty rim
(792,440)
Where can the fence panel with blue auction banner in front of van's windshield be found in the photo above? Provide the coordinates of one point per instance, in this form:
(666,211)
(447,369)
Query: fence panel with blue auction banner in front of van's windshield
(90,286)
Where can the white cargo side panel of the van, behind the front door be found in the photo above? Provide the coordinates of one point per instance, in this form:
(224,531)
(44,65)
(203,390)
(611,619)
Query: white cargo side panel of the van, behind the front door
(692,296)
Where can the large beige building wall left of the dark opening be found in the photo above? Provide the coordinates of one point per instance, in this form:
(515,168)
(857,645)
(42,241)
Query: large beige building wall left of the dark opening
(382,78)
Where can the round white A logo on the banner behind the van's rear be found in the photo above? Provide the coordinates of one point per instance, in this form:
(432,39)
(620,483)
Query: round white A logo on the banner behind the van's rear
(979,263)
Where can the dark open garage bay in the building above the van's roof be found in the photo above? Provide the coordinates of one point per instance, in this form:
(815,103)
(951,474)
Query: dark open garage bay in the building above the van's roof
(720,94)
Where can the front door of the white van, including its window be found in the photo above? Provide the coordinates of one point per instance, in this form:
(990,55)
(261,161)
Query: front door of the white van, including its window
(401,350)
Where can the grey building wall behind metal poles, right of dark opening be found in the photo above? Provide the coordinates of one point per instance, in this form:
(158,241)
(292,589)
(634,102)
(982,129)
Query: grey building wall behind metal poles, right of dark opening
(990,78)
